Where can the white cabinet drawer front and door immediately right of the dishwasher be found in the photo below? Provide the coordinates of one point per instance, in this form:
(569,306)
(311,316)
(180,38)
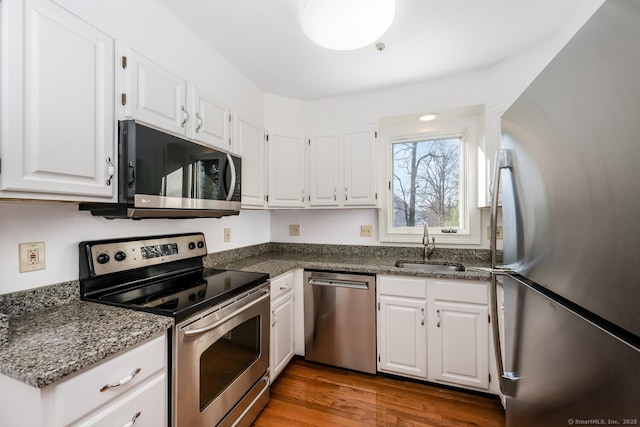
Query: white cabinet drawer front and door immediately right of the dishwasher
(402,330)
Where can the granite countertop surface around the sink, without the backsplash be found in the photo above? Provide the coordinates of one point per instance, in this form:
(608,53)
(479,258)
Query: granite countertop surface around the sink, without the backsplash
(277,262)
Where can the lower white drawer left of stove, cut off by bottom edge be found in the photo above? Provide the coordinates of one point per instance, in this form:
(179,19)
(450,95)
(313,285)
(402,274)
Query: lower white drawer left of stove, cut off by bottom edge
(147,404)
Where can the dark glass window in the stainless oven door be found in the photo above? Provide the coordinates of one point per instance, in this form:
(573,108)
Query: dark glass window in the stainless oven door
(227,358)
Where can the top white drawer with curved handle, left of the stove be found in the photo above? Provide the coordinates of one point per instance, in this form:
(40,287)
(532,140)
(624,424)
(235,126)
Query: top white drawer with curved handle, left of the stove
(77,396)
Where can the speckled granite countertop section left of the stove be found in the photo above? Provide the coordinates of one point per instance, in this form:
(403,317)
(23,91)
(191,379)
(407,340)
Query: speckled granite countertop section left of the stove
(45,346)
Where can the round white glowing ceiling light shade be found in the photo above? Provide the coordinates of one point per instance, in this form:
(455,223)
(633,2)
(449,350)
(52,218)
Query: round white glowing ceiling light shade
(346,24)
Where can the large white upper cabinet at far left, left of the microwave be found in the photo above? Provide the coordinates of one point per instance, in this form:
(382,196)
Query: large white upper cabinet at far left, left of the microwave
(57,108)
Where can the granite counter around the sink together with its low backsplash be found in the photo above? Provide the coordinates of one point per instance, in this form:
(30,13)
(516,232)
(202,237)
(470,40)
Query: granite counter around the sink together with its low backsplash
(368,260)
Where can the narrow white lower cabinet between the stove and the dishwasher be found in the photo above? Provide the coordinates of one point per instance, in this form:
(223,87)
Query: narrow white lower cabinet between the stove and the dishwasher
(281,347)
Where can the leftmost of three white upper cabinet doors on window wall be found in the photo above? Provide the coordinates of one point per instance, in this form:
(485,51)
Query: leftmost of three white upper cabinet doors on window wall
(286,170)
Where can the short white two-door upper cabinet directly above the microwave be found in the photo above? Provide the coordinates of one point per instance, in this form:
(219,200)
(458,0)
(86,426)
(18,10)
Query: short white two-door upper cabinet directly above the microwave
(154,95)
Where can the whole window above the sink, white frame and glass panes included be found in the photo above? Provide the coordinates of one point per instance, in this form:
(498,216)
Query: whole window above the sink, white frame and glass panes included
(431,177)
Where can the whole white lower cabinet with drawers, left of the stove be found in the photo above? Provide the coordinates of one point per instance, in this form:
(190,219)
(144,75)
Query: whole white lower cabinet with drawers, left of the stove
(128,389)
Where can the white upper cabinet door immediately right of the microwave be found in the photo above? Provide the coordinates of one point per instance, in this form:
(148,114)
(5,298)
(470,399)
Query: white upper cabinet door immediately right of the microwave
(251,143)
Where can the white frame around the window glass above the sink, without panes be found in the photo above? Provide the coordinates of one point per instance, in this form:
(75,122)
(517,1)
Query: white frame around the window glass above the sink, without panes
(469,234)
